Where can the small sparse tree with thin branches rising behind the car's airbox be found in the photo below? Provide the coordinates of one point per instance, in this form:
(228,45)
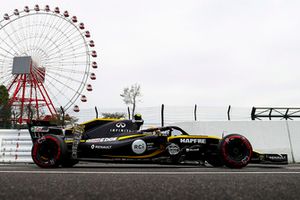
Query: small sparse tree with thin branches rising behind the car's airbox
(131,96)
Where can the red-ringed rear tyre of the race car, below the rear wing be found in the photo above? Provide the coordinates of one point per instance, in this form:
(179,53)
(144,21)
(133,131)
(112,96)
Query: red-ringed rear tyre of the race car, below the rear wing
(49,151)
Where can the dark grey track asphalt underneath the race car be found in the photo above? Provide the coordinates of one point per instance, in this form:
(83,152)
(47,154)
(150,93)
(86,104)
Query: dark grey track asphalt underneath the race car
(149,181)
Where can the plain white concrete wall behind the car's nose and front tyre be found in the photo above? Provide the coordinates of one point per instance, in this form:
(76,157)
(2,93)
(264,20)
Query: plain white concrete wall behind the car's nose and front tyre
(265,136)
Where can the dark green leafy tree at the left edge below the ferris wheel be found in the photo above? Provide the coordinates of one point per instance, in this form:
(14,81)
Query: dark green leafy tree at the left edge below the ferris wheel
(5,109)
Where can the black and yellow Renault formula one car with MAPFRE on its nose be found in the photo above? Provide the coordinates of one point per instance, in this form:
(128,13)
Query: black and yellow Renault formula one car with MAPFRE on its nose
(104,140)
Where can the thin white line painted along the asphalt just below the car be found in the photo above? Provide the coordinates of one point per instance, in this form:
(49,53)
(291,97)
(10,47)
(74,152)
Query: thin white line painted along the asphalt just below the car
(146,173)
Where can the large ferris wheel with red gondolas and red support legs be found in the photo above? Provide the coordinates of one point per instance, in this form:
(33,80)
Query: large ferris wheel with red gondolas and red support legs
(46,61)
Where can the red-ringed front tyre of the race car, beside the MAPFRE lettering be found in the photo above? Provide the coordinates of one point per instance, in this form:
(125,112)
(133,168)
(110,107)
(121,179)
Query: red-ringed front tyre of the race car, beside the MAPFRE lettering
(236,151)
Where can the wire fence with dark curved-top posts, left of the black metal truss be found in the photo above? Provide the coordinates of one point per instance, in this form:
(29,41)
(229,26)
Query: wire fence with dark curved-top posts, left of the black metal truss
(156,115)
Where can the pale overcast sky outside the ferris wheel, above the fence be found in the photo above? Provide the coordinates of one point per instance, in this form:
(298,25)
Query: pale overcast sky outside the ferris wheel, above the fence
(205,52)
